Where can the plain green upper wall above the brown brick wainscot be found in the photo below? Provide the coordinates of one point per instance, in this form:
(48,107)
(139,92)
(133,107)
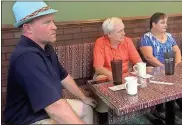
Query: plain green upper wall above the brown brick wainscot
(98,10)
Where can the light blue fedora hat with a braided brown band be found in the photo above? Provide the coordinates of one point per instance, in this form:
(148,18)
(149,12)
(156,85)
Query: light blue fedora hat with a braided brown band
(25,11)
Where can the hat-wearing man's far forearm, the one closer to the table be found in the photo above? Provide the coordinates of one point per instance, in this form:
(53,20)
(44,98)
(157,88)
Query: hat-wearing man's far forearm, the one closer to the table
(71,86)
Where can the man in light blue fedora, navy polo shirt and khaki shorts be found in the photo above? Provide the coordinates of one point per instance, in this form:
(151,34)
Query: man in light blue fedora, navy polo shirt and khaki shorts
(35,76)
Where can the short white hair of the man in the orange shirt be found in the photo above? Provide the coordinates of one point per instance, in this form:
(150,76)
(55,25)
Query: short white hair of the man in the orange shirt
(109,24)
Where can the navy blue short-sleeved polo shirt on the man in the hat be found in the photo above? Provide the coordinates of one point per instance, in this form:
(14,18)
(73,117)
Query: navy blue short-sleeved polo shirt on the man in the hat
(33,82)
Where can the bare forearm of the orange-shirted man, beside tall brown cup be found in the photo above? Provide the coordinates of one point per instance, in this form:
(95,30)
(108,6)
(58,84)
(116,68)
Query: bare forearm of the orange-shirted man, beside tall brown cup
(103,71)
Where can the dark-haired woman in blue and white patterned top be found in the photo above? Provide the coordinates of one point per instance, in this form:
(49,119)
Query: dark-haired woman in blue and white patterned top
(155,43)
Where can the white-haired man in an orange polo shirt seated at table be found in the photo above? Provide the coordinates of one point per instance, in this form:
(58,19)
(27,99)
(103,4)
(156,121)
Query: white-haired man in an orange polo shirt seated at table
(113,45)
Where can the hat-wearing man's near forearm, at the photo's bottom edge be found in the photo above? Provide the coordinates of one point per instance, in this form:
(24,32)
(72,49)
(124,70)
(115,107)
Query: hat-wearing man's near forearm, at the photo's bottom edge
(62,113)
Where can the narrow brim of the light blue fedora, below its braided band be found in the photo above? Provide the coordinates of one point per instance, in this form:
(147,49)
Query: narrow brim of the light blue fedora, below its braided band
(50,11)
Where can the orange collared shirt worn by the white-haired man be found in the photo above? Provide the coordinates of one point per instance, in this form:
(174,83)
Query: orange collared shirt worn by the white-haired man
(104,53)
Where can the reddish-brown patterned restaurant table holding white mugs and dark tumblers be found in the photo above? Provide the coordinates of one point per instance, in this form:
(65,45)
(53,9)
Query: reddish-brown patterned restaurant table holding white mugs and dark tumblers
(149,96)
